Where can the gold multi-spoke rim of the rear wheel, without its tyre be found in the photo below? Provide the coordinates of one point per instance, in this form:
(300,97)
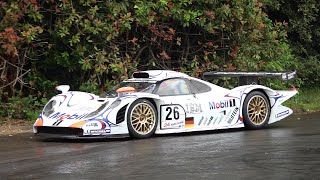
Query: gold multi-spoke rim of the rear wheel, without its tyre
(257,110)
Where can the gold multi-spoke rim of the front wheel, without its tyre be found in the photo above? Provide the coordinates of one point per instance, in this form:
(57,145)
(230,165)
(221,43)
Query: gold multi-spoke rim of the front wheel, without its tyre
(143,118)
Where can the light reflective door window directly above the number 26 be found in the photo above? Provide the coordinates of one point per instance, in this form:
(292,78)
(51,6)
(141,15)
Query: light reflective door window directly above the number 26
(173,87)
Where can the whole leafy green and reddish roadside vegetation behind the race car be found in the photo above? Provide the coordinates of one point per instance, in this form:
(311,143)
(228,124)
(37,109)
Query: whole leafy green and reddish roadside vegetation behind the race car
(92,45)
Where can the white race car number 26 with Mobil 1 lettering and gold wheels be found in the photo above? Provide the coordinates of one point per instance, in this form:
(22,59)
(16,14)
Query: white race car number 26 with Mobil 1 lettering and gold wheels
(162,102)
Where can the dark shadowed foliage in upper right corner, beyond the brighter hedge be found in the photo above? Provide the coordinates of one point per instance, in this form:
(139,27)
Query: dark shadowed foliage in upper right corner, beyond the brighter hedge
(303,28)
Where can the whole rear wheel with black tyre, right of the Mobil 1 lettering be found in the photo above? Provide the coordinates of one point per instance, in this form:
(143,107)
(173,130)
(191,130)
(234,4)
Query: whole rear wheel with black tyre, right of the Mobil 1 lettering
(256,110)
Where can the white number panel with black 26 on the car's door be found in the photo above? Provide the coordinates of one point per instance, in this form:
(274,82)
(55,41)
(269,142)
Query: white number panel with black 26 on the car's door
(172,116)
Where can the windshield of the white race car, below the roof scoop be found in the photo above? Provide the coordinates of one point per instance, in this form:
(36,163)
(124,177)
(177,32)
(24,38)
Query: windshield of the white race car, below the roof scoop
(146,87)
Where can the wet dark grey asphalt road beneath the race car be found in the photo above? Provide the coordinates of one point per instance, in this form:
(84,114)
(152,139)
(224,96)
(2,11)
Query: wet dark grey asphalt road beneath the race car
(289,149)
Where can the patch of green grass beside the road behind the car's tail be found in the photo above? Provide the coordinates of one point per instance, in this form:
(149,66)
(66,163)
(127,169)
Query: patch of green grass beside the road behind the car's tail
(308,99)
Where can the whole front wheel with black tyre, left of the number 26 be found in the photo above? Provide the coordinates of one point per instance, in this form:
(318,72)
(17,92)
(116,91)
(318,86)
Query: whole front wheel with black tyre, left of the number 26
(142,119)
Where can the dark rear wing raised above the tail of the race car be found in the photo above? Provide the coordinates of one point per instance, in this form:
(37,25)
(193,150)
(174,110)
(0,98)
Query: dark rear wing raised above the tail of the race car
(246,78)
